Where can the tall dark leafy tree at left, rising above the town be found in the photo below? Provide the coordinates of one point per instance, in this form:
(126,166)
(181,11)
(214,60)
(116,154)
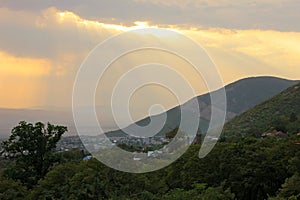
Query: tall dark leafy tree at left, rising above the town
(32,147)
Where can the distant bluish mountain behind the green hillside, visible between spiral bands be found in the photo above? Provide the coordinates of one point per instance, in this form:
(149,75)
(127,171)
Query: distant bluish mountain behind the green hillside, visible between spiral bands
(241,96)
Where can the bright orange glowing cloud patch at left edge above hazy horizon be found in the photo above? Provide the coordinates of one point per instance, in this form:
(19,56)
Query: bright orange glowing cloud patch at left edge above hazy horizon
(21,80)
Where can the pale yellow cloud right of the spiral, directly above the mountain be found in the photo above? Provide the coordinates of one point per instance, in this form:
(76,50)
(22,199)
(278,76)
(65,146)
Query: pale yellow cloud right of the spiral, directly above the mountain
(241,53)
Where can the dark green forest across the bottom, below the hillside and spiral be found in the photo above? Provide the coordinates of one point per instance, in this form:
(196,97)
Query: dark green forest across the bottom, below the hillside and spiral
(250,168)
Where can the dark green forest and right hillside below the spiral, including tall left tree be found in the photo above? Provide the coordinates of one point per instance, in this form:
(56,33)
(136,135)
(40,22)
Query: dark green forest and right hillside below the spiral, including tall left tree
(257,157)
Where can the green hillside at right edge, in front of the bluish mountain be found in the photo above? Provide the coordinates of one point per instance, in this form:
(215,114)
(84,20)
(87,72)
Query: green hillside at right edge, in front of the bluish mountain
(281,113)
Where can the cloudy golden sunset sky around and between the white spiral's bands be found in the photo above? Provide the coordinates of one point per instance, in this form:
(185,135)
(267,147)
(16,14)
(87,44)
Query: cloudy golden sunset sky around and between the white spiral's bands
(43,43)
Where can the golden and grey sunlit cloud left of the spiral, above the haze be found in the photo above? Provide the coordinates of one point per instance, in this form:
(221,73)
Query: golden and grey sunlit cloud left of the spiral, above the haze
(49,39)
